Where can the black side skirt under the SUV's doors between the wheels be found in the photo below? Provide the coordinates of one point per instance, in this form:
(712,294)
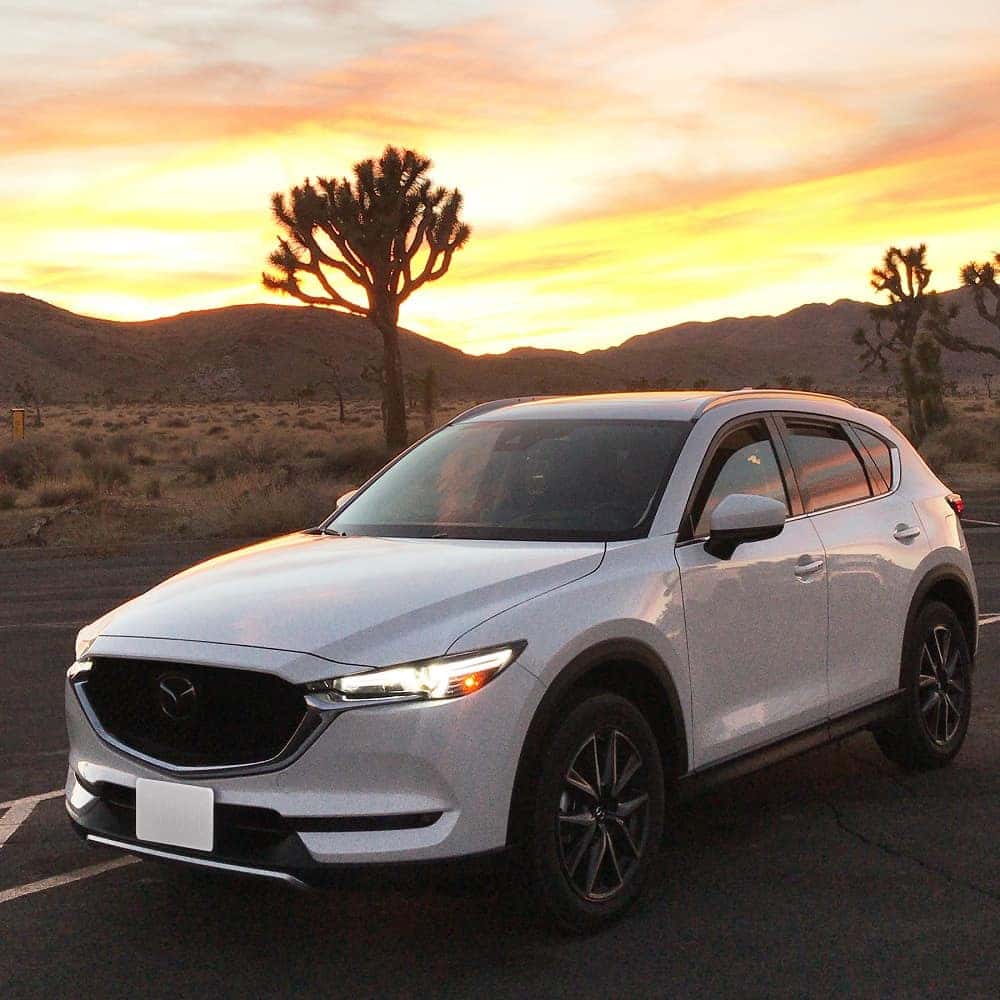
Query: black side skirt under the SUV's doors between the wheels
(704,778)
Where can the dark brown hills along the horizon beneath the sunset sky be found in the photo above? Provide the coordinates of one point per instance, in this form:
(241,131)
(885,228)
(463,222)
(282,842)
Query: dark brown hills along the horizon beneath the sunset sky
(257,351)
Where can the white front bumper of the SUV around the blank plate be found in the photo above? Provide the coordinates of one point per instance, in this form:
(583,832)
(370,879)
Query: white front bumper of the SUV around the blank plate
(395,783)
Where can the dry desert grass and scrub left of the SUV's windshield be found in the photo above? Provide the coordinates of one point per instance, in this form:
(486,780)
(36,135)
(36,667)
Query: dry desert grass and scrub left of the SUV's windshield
(108,476)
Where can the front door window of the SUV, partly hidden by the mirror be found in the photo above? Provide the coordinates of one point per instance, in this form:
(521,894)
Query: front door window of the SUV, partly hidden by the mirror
(743,462)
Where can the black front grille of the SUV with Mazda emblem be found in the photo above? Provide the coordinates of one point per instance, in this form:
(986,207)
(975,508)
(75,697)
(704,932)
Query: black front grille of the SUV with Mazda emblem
(190,715)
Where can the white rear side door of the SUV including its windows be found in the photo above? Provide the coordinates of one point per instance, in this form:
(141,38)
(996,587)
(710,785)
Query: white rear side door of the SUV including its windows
(848,479)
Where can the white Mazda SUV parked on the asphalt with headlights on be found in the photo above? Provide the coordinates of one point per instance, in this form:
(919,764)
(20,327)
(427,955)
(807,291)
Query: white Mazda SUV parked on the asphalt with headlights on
(526,632)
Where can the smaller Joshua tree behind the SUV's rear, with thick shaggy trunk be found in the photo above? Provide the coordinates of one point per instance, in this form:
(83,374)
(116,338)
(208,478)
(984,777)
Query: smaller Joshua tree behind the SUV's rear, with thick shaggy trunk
(913,326)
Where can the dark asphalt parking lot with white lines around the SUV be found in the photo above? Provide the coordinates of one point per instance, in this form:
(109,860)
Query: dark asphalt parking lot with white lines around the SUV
(832,874)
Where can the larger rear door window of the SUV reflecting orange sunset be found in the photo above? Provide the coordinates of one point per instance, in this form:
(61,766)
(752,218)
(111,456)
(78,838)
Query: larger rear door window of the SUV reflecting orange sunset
(827,468)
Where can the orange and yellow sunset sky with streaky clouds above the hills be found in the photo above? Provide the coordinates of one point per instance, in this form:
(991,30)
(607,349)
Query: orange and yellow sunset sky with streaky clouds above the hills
(625,165)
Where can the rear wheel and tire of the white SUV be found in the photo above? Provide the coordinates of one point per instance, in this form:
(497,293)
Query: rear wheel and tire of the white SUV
(937,679)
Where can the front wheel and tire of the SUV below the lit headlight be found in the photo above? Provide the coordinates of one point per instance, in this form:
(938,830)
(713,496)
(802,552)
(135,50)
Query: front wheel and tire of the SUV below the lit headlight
(596,820)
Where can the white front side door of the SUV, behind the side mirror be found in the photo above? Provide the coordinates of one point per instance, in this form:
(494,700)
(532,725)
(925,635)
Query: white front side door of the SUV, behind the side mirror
(757,622)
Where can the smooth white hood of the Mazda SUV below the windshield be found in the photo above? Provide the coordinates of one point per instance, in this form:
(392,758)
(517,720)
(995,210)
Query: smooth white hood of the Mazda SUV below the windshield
(359,600)
